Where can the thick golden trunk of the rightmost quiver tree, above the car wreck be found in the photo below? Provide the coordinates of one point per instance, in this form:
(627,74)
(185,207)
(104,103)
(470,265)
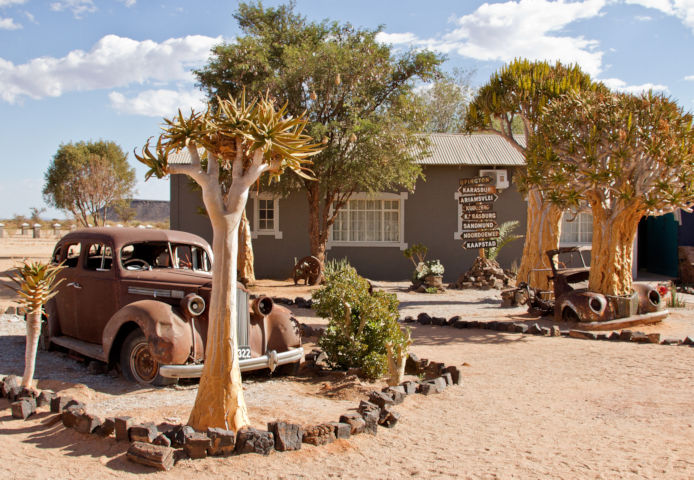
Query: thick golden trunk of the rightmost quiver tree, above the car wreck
(612,250)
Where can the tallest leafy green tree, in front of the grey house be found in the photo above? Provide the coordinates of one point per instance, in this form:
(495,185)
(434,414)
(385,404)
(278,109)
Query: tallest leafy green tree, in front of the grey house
(358,97)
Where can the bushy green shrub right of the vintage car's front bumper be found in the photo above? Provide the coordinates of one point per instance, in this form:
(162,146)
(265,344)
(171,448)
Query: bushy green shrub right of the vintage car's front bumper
(361,325)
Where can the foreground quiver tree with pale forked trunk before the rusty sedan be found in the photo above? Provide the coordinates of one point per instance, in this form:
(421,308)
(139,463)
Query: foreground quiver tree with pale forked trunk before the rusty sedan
(239,141)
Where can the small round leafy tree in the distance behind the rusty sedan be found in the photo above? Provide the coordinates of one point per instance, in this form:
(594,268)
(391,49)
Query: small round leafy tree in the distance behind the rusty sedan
(86,177)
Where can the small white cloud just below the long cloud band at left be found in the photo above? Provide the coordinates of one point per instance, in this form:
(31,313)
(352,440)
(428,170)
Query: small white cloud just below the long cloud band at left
(158,103)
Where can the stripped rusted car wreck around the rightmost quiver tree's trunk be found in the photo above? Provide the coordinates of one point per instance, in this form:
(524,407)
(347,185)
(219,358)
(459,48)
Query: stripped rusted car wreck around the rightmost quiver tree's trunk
(574,302)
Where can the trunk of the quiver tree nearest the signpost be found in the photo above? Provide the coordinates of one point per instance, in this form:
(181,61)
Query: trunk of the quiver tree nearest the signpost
(543,231)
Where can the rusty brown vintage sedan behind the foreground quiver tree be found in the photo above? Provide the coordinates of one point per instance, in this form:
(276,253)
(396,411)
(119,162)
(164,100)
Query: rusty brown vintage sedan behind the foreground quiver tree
(137,298)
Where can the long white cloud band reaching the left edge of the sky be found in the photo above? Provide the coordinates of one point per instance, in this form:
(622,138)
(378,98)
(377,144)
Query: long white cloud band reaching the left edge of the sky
(113,62)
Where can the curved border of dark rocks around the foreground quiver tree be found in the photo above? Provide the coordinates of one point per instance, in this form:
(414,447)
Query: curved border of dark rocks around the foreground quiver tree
(161,446)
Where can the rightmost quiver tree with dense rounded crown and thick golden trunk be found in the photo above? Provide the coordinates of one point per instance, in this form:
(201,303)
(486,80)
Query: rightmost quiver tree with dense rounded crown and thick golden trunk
(625,156)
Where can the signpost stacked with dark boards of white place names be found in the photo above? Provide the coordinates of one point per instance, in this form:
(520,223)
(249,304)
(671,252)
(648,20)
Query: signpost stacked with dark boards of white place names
(477,197)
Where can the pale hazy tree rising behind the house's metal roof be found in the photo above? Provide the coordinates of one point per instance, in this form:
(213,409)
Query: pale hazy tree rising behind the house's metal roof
(446,101)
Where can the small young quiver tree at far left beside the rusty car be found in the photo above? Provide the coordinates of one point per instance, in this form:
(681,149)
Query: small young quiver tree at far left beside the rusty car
(36,284)
